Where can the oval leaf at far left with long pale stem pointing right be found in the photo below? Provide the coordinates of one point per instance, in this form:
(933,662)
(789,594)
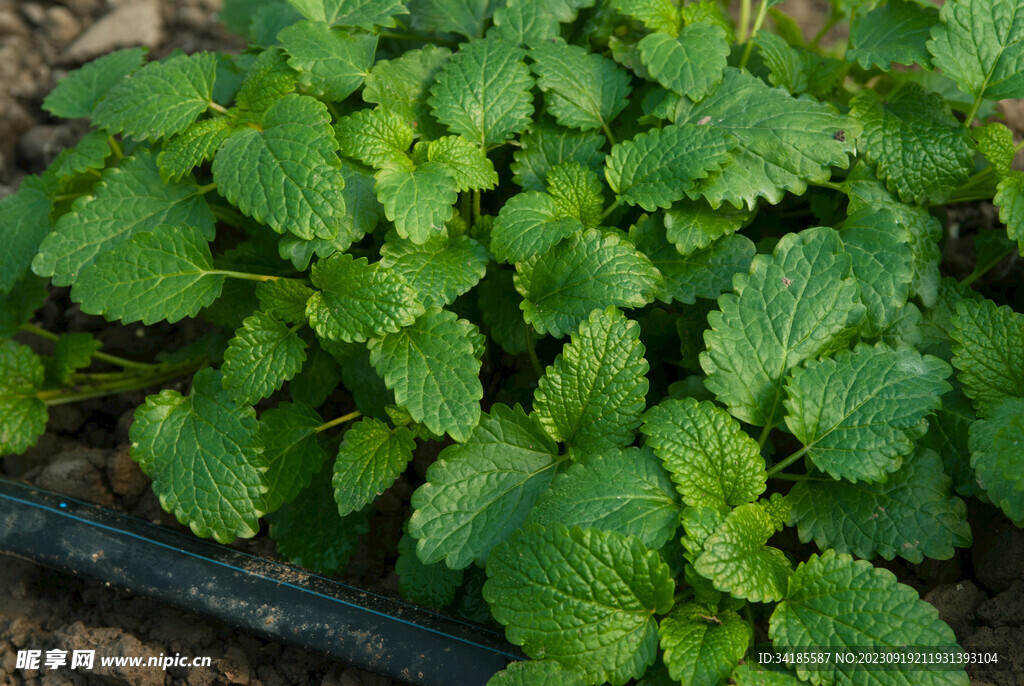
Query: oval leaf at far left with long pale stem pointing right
(164,275)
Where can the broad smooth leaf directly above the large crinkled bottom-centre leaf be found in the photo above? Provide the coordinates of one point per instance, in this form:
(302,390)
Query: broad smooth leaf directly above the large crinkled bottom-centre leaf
(615,491)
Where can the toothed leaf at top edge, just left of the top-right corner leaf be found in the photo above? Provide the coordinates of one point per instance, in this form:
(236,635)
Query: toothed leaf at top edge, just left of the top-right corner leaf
(897,32)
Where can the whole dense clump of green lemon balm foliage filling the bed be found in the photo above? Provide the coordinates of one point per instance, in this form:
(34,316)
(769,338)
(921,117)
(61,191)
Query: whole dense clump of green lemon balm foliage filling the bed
(661,284)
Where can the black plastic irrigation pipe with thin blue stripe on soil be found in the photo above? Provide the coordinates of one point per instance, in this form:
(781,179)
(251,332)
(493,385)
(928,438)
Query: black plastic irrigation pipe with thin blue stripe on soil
(279,602)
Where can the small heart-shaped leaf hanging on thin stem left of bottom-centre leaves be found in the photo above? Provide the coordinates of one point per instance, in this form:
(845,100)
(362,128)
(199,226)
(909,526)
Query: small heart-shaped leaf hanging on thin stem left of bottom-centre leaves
(370,459)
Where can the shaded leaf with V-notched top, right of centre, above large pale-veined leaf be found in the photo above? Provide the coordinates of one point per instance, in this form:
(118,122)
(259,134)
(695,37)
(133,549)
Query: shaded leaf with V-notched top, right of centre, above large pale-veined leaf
(704,274)
